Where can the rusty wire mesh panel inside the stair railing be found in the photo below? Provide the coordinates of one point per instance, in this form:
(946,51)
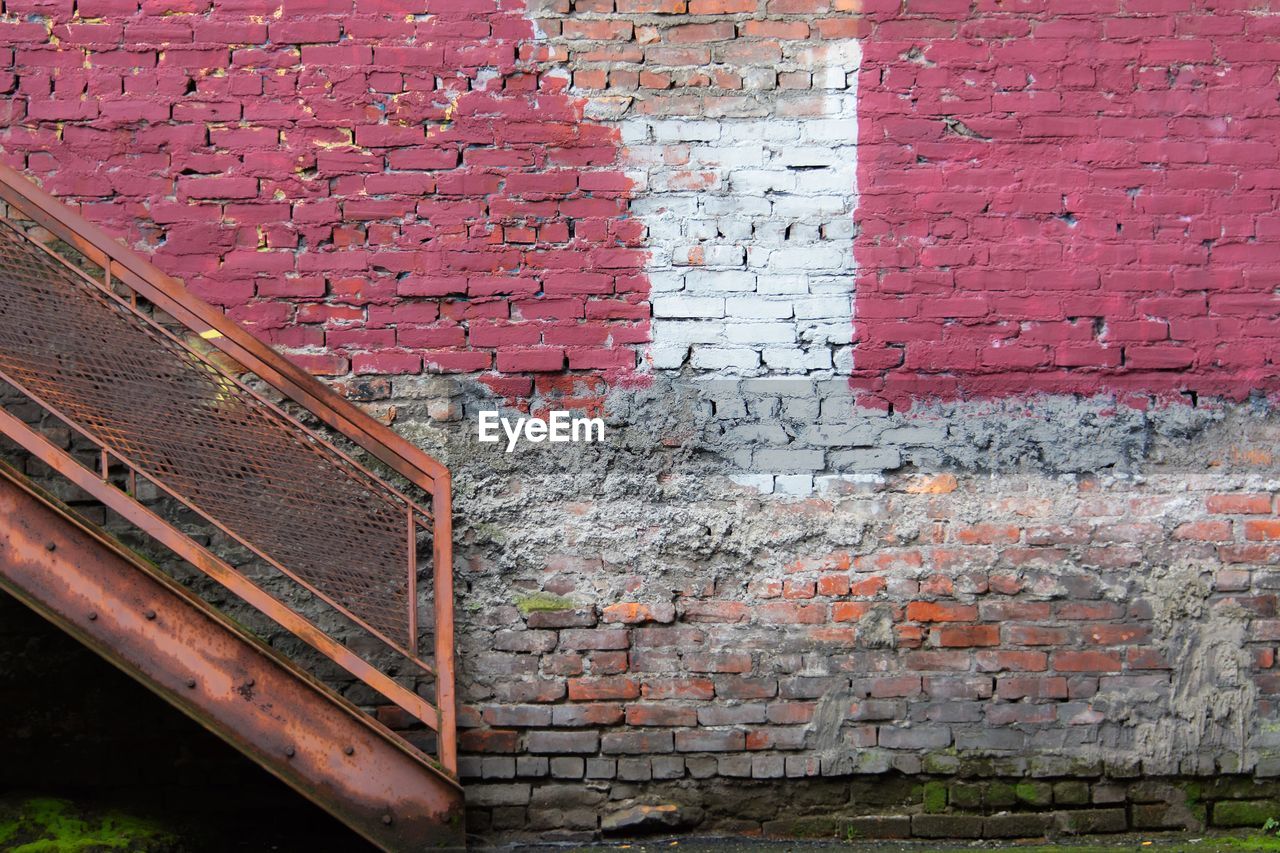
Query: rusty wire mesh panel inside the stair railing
(158,404)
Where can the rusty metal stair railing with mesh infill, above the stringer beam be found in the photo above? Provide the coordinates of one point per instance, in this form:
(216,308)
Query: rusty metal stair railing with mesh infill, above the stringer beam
(126,358)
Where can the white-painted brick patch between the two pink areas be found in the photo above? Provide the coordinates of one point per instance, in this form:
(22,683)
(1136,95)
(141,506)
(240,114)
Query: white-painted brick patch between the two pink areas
(752,231)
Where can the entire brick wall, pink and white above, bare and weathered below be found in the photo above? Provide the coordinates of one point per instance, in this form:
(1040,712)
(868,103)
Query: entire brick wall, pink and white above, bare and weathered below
(885,307)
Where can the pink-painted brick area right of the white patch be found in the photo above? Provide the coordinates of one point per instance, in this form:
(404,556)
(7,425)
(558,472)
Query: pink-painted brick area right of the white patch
(1067,202)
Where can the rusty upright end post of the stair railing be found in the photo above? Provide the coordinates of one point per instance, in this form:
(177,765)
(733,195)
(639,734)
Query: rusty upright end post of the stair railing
(442,542)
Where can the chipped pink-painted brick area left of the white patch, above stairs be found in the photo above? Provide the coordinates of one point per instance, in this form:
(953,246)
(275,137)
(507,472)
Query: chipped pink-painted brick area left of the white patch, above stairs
(377,188)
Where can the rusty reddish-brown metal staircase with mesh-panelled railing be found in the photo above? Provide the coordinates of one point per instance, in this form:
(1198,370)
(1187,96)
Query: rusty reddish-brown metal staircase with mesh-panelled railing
(173,412)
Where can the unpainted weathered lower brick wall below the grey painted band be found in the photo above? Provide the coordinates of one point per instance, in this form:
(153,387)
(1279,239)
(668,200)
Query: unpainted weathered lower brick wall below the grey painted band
(1098,630)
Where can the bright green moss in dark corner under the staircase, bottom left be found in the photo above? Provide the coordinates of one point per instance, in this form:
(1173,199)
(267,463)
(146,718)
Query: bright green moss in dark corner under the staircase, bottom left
(57,827)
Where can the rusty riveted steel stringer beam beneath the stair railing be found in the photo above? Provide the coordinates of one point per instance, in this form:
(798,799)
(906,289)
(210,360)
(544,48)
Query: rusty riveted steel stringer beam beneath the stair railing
(225,678)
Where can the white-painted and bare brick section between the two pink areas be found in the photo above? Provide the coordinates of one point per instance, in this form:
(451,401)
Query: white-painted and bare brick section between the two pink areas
(740,135)
